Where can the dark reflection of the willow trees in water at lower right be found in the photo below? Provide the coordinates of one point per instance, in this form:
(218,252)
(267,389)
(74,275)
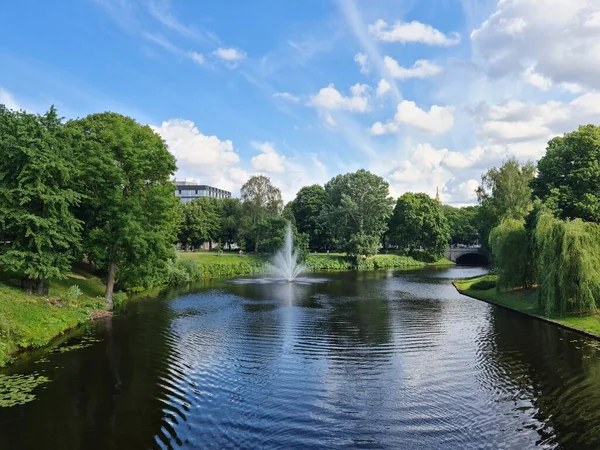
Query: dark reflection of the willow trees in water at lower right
(557,371)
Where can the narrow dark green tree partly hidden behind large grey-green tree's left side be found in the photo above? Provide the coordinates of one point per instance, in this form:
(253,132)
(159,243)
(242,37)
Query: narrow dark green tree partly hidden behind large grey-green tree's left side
(307,207)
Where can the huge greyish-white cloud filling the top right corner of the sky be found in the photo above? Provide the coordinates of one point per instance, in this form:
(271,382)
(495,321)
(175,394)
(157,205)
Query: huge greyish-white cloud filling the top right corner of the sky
(560,39)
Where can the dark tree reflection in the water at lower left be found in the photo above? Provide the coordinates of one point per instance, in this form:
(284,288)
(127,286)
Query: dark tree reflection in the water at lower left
(106,396)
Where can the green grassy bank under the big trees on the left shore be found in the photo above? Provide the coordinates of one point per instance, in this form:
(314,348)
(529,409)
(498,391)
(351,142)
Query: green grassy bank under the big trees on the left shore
(30,321)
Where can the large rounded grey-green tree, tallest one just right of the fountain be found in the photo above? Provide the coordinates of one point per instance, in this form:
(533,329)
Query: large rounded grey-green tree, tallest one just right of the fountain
(357,210)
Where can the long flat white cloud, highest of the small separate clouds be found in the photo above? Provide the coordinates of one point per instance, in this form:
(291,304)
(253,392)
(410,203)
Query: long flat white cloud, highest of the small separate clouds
(414,31)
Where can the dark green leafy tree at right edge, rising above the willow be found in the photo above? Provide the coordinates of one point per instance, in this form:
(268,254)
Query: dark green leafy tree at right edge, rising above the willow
(569,174)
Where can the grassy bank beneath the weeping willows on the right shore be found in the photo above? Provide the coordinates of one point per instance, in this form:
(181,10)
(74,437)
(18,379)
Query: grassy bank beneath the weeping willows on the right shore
(525,301)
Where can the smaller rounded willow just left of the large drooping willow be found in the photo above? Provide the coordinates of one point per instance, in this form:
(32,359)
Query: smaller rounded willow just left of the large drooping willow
(510,248)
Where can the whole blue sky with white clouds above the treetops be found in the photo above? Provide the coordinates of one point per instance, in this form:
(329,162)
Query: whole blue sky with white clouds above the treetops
(425,93)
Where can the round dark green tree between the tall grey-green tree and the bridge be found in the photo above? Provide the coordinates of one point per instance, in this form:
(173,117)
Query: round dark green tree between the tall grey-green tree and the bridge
(419,223)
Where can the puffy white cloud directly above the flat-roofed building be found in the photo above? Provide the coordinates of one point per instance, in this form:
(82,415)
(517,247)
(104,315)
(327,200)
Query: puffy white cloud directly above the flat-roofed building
(203,158)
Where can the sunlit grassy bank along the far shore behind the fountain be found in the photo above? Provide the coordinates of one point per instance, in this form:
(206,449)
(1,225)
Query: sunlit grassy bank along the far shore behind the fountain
(211,265)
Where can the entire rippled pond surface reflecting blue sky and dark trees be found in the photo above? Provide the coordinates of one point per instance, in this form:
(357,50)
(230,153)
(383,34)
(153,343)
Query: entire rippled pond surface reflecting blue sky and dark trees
(364,360)
